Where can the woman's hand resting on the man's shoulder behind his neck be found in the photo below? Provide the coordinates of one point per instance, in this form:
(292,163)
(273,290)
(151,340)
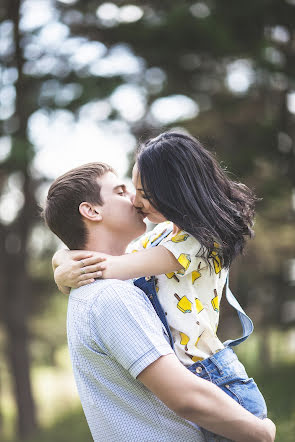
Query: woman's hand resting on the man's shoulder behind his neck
(73,269)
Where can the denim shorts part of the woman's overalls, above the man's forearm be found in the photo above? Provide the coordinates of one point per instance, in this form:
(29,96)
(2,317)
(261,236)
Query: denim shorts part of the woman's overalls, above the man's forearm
(227,372)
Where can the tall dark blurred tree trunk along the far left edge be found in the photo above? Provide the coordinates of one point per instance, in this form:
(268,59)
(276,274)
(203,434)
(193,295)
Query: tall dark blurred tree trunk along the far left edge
(15,296)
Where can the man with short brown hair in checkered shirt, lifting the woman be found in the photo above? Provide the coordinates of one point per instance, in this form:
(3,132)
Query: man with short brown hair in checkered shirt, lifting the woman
(131,385)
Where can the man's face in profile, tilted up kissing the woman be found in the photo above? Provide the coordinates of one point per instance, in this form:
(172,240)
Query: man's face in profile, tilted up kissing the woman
(118,213)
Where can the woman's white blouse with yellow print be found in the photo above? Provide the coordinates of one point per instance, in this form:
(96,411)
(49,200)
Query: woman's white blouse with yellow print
(190,297)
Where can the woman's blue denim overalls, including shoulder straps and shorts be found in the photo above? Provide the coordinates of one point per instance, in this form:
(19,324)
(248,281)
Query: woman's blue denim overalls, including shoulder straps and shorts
(222,368)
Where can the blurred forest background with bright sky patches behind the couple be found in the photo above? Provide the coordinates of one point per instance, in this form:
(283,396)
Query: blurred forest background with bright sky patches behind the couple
(85,74)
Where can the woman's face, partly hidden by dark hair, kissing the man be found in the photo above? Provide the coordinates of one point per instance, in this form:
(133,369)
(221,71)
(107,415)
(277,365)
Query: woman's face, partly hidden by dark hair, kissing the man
(141,202)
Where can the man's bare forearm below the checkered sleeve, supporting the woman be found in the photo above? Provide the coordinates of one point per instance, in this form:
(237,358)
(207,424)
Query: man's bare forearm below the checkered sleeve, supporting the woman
(202,402)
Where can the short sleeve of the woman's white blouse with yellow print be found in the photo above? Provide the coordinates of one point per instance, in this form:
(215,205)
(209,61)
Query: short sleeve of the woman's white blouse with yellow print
(186,249)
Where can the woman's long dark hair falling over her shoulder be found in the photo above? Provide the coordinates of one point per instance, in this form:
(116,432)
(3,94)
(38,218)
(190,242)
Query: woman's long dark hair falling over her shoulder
(184,182)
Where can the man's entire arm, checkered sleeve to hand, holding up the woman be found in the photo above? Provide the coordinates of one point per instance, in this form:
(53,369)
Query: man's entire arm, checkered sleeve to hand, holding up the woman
(138,343)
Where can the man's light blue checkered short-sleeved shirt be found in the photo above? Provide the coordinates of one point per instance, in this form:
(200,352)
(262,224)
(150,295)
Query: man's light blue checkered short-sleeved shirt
(114,334)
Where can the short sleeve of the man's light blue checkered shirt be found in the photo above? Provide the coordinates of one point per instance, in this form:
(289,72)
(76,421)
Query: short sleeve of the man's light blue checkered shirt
(124,321)
